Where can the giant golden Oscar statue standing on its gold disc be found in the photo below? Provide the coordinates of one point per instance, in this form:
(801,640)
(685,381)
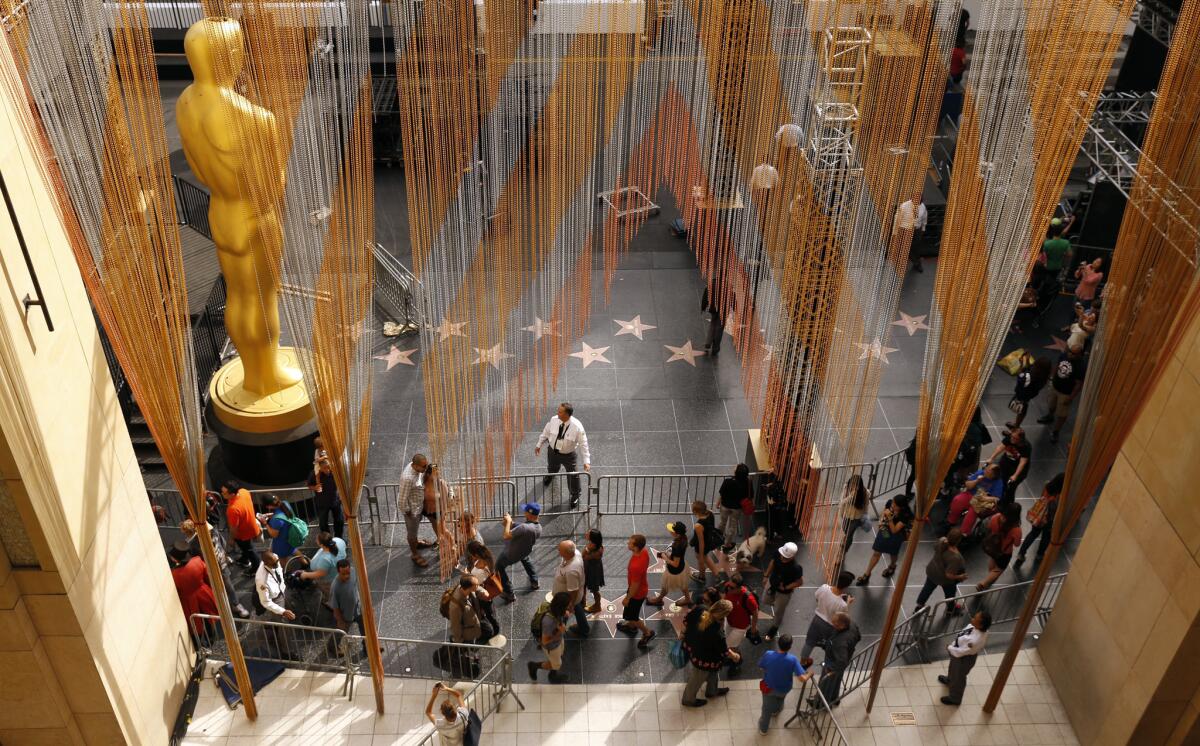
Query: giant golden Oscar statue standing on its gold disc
(235,148)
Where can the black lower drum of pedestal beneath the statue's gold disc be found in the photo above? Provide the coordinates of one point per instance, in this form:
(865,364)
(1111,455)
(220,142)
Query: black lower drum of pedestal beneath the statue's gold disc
(283,458)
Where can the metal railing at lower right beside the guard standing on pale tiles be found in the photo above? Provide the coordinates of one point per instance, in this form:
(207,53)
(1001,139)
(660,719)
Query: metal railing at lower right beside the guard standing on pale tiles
(916,637)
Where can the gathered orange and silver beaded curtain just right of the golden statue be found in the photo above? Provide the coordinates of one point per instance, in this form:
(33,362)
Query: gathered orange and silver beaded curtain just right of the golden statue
(308,63)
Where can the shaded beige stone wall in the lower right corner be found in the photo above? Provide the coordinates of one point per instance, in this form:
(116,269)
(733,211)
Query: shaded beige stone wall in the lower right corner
(1124,645)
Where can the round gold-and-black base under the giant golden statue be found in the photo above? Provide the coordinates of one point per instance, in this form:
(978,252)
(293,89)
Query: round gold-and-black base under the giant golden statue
(263,440)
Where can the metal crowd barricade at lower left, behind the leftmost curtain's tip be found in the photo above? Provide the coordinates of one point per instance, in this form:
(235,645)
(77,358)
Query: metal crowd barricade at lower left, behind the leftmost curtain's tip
(291,645)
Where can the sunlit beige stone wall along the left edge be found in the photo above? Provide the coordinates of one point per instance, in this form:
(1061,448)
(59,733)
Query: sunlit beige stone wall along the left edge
(93,643)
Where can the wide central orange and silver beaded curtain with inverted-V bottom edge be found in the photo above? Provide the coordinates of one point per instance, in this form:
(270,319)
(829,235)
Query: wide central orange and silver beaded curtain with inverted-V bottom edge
(788,133)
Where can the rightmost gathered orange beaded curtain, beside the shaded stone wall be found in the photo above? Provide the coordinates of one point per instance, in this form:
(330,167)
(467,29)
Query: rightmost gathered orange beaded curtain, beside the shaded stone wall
(1151,303)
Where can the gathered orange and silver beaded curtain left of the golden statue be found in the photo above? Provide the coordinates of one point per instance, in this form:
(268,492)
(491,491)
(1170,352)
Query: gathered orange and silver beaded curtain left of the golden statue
(95,113)
